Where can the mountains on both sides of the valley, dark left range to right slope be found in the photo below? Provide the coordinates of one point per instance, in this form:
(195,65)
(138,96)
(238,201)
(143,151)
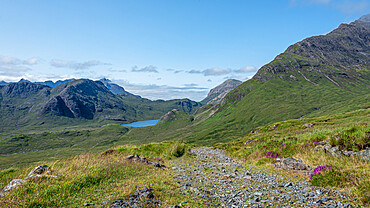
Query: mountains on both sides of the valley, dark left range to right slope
(317,76)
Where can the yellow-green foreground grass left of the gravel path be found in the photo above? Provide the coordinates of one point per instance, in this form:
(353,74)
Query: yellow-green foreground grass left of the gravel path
(95,178)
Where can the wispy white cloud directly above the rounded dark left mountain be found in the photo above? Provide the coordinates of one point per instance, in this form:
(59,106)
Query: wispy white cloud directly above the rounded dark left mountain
(76,65)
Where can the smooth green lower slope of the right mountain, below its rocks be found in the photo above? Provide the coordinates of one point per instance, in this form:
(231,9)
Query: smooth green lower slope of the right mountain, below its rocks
(262,103)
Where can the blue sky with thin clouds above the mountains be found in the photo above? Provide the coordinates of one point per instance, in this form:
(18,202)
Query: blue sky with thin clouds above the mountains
(158,49)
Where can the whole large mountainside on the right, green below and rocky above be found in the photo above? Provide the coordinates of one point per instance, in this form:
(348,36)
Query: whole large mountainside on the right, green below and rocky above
(318,76)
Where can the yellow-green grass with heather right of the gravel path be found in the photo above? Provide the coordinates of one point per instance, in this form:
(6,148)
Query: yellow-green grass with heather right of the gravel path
(295,138)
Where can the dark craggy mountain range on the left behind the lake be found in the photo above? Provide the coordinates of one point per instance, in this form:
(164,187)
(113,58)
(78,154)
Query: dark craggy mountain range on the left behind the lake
(26,105)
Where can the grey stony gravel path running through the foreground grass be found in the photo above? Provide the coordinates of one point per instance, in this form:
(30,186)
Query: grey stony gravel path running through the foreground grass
(223,182)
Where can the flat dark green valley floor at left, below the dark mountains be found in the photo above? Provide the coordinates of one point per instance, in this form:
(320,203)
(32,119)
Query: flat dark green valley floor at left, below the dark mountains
(60,144)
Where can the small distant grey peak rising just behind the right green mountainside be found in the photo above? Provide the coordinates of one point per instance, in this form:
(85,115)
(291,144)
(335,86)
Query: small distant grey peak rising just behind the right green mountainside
(216,94)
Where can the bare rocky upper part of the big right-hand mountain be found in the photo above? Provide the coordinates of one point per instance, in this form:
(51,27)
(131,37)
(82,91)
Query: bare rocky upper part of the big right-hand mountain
(333,55)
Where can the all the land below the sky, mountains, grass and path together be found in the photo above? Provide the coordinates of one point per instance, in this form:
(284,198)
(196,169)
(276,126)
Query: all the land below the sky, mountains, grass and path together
(297,134)
